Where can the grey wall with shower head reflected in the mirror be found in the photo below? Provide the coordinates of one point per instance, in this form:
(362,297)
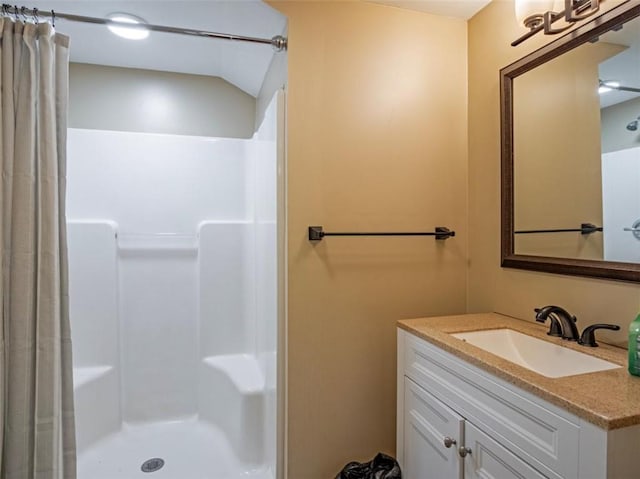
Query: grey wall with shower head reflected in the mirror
(615,119)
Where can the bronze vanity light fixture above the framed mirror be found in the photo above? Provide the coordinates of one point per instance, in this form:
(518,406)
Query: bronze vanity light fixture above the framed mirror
(543,19)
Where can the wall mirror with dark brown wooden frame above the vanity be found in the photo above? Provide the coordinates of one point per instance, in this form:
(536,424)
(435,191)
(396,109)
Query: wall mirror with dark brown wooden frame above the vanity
(571,152)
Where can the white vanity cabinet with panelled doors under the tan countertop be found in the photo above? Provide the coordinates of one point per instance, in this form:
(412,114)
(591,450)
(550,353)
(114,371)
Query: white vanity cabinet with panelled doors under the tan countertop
(504,431)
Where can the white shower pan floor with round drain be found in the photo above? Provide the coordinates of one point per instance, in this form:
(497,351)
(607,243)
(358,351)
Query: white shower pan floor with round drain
(190,449)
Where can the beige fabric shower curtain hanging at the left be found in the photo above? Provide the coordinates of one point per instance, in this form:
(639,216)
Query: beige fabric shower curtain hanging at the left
(36,387)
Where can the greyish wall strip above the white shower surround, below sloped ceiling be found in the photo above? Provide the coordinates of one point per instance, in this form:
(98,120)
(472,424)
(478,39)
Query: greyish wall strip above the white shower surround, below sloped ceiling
(130,99)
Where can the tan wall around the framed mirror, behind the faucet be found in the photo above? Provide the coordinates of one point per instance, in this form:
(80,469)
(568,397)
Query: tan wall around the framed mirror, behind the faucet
(511,291)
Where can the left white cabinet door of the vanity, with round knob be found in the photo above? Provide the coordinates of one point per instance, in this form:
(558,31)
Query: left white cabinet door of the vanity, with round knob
(427,424)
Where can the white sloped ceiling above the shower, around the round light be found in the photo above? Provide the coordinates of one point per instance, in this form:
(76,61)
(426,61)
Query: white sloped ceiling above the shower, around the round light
(240,63)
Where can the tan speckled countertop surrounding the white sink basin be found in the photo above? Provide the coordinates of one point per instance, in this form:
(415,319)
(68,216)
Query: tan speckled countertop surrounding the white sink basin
(609,399)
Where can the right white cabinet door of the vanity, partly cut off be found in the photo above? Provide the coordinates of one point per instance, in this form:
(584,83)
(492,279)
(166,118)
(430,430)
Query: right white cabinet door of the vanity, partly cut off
(488,459)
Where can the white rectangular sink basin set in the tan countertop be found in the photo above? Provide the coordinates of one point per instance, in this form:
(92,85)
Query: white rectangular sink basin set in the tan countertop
(540,356)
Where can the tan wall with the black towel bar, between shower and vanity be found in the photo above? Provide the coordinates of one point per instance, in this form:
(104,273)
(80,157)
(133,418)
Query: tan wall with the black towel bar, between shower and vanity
(377,140)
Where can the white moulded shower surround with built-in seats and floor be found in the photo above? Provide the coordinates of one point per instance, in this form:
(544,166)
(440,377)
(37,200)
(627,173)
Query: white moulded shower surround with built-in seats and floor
(173,285)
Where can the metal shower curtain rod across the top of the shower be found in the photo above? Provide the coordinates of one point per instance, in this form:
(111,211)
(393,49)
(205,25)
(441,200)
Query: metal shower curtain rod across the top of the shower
(279,43)
